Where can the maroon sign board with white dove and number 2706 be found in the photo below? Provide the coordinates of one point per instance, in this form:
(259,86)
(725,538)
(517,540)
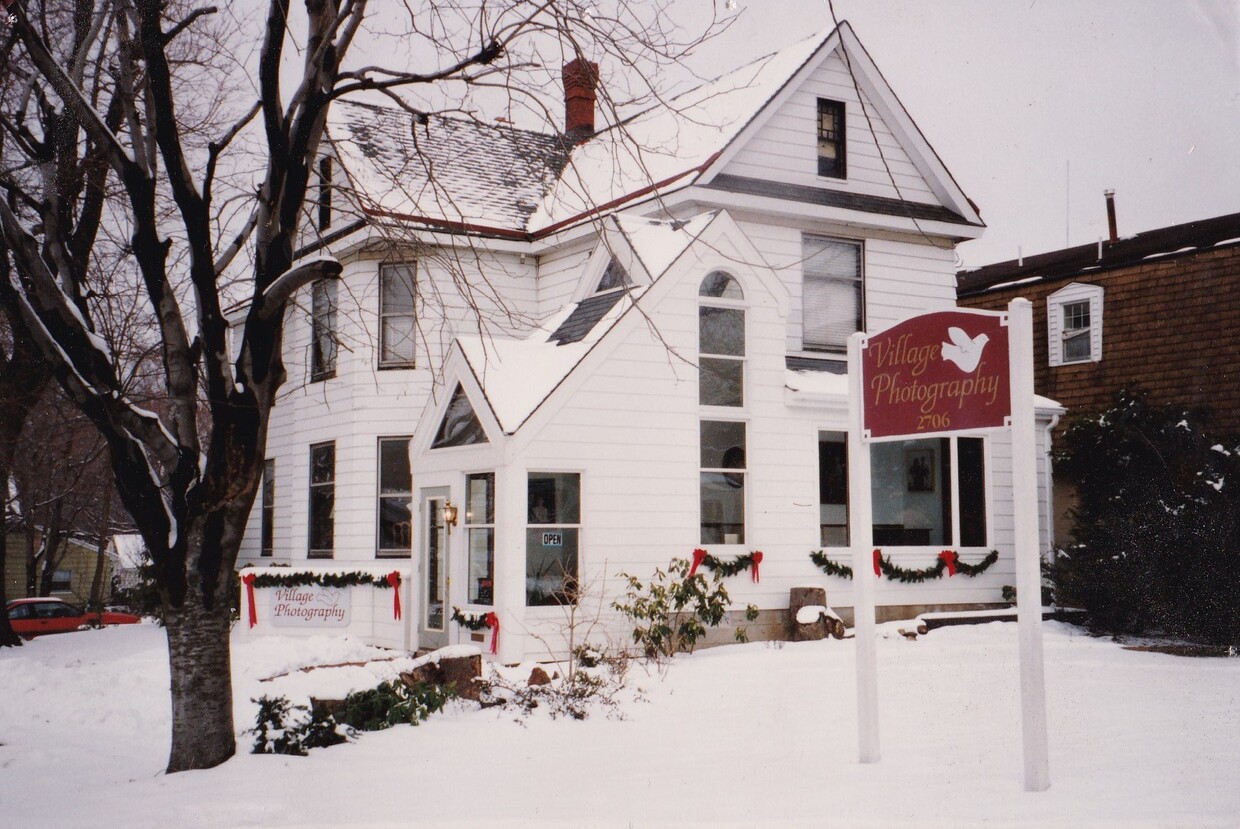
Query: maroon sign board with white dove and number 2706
(937,374)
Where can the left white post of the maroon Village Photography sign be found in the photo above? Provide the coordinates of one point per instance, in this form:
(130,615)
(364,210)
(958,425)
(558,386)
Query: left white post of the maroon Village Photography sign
(861,537)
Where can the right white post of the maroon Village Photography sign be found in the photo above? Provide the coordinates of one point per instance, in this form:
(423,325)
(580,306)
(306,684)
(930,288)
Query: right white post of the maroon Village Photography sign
(1029,557)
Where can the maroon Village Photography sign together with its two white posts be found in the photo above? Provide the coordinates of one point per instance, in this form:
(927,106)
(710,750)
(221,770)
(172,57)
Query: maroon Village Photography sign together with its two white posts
(931,376)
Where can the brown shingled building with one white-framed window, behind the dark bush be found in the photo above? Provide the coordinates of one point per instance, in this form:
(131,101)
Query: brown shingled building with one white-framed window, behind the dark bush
(1158,312)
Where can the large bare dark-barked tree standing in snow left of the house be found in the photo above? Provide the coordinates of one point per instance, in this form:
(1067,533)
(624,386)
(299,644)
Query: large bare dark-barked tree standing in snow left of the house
(105,127)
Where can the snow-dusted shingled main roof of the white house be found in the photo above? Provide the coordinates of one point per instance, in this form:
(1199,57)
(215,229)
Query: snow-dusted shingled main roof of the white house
(466,175)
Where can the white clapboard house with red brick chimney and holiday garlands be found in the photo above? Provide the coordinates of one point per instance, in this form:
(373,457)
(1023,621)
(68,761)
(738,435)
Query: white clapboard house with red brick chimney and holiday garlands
(611,349)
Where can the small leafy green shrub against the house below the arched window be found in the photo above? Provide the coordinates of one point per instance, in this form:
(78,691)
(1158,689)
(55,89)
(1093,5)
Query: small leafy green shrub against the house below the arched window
(673,610)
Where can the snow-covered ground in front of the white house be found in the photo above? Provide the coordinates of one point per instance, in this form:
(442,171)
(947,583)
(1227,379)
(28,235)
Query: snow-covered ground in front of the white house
(755,735)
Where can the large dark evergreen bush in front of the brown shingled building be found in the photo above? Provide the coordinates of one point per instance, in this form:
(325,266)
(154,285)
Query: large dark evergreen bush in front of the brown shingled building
(1158,525)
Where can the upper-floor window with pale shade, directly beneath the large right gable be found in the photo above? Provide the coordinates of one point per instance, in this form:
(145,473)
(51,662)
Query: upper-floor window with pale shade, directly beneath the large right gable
(831,293)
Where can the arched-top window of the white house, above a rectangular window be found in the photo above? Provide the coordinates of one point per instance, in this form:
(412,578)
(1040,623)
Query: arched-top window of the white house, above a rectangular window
(721,343)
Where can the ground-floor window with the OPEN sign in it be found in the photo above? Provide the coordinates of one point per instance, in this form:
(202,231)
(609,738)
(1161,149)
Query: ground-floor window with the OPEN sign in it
(552,538)
